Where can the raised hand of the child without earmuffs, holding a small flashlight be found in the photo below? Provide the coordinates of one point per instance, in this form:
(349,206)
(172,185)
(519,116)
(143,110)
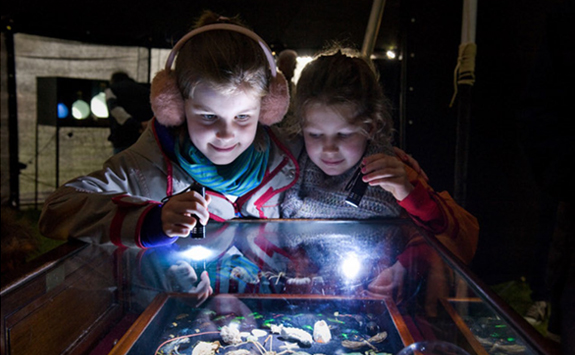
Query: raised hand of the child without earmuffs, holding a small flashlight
(387,172)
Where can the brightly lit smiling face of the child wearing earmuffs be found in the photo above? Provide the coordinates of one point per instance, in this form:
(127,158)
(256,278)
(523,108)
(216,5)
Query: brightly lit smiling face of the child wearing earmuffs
(222,126)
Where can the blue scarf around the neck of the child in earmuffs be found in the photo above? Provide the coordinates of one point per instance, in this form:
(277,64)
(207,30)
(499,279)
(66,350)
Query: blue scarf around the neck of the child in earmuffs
(240,176)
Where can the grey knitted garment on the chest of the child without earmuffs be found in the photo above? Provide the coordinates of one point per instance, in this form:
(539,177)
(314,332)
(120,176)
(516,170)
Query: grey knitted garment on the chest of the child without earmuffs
(317,195)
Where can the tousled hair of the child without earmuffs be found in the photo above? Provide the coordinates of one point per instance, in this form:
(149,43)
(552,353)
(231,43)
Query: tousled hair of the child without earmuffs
(339,76)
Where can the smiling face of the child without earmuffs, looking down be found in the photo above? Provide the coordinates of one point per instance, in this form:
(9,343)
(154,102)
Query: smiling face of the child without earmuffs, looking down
(332,143)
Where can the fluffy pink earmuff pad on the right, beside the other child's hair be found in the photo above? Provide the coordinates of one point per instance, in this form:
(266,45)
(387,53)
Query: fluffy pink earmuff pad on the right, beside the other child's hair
(276,103)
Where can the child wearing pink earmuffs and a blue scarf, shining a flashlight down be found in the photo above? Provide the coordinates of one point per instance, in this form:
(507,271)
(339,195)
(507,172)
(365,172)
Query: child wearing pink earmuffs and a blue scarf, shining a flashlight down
(210,113)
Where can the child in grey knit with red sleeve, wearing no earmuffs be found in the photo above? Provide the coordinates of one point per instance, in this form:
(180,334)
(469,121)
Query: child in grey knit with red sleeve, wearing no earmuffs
(344,119)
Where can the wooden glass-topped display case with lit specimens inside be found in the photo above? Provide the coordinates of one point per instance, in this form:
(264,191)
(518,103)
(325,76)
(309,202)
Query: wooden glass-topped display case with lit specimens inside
(278,287)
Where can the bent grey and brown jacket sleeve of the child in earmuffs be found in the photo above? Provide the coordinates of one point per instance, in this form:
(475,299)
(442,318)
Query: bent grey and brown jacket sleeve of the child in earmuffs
(109,205)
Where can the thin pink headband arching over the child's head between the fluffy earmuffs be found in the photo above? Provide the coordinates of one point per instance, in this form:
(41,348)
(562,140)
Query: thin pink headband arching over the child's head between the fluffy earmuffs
(227,27)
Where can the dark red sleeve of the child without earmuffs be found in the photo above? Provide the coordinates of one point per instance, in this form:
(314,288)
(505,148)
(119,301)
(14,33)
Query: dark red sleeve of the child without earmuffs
(439,214)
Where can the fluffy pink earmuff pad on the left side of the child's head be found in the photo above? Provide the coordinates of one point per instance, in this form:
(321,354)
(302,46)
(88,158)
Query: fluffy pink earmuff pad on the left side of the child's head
(166,99)
